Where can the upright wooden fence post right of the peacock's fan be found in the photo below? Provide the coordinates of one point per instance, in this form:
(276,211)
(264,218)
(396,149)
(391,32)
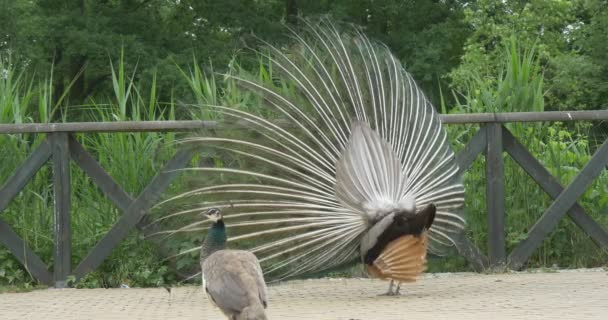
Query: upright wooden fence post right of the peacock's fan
(495,195)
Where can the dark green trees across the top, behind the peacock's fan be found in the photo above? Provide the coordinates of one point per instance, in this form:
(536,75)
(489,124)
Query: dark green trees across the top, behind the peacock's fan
(77,36)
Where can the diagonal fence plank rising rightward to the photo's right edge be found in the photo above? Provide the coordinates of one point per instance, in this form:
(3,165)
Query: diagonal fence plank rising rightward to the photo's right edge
(559,207)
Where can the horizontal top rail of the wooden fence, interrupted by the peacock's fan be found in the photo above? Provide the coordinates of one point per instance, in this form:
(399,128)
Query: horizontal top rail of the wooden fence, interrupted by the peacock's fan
(192,125)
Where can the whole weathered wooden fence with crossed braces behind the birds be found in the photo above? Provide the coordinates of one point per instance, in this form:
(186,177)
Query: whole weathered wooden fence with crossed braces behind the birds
(491,140)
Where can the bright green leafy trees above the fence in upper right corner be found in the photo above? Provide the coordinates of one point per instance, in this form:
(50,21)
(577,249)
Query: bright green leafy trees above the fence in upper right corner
(568,36)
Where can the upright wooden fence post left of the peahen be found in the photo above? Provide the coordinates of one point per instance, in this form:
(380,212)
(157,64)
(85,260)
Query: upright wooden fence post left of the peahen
(61,225)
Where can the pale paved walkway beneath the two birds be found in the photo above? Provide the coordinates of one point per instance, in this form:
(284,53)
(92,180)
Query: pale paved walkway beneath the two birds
(577,294)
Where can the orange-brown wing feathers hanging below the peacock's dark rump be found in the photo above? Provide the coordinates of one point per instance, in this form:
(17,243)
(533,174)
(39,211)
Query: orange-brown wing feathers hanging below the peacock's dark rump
(403,259)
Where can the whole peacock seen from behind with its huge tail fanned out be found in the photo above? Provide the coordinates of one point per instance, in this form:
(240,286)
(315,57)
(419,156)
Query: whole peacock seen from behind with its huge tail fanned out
(346,161)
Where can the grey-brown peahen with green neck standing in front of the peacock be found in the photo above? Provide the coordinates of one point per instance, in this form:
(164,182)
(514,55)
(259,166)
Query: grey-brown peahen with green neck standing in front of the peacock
(232,279)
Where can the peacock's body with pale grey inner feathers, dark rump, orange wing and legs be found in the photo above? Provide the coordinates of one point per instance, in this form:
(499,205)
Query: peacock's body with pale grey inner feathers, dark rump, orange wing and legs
(395,244)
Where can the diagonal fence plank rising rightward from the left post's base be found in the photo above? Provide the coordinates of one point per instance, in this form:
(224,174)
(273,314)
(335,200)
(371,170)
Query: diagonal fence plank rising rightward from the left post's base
(134,214)
